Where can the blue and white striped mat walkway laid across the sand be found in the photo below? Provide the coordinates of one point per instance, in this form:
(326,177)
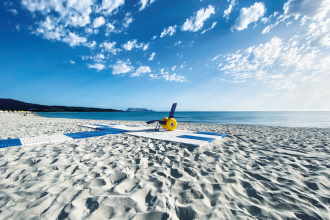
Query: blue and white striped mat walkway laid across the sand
(199,138)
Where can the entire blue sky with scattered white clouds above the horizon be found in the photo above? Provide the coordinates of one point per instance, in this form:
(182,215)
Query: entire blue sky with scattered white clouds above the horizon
(215,55)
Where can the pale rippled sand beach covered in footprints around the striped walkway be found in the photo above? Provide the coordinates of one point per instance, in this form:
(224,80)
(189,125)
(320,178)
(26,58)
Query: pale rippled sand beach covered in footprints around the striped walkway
(257,172)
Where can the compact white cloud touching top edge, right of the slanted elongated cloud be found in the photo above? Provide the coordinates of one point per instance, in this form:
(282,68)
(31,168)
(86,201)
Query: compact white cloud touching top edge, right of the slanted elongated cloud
(249,15)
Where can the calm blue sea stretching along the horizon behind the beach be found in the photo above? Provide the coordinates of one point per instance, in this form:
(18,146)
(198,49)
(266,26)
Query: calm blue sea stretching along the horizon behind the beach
(286,119)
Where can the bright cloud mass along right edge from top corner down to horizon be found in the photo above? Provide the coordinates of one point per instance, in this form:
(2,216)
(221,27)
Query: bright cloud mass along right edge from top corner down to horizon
(295,68)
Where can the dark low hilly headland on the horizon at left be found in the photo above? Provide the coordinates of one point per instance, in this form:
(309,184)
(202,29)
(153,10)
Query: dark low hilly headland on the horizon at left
(15,105)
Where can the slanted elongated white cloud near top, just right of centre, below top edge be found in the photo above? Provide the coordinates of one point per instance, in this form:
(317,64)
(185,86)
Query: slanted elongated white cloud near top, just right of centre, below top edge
(196,22)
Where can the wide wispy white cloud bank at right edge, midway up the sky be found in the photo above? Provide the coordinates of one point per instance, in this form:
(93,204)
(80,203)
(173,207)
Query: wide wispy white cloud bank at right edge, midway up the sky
(282,63)
